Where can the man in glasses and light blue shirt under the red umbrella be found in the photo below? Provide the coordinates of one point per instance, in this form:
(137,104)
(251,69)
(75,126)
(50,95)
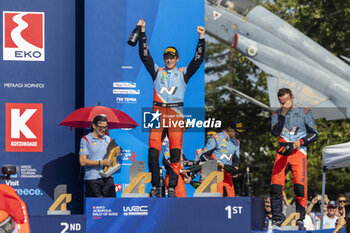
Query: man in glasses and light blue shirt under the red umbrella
(93,152)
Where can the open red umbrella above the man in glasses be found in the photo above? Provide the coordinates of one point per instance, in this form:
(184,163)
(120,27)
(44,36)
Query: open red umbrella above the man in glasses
(82,118)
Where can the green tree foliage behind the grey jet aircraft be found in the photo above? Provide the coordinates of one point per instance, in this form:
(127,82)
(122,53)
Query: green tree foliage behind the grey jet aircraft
(327,23)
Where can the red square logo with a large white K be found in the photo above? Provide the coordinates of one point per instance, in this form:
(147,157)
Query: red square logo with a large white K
(24,127)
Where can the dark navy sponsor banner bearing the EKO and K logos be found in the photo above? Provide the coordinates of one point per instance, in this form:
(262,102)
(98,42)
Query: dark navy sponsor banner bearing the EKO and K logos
(37,92)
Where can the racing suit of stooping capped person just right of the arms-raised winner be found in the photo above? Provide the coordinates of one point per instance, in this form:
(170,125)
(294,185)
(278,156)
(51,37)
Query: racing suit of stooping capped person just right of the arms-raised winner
(226,150)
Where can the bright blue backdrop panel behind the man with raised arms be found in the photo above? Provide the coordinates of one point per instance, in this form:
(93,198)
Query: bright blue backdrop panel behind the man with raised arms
(115,76)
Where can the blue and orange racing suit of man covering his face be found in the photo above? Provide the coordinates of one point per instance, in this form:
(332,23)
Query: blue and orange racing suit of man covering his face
(297,124)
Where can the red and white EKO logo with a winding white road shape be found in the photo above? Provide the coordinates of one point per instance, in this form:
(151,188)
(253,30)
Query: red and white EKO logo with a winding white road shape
(23,36)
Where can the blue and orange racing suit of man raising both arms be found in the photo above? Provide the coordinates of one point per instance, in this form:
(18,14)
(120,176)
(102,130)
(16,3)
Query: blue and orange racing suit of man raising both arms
(169,88)
